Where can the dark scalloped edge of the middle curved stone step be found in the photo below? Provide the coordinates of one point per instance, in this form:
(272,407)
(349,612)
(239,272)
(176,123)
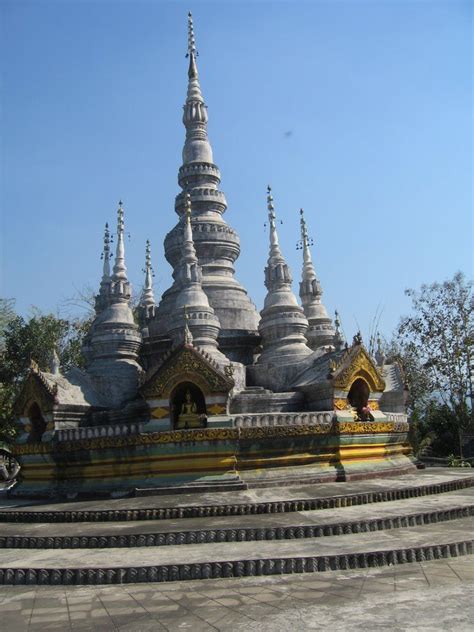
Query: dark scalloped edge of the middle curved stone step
(241,534)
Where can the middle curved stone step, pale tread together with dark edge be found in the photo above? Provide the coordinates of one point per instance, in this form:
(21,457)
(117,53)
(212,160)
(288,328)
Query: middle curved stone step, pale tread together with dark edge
(305,524)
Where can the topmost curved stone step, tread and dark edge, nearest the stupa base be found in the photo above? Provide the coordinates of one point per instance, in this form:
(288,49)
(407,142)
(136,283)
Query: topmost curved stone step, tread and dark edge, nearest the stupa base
(244,502)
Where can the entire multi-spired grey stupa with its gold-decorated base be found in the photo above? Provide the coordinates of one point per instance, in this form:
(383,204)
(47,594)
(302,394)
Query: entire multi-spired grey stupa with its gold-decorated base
(198,390)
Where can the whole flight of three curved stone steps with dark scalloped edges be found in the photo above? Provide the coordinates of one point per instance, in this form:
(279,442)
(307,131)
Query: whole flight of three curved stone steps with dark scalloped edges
(309,528)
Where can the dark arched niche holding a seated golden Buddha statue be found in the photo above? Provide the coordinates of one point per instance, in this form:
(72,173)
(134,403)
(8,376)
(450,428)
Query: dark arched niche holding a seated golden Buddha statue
(187,406)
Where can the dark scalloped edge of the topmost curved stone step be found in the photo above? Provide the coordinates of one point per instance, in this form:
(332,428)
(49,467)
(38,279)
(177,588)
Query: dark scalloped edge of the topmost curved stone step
(236,509)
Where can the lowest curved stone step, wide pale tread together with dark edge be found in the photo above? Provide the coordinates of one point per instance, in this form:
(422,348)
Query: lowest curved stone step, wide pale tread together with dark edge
(230,559)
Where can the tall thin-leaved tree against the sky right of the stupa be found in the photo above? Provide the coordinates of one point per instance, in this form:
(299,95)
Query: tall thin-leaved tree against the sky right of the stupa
(436,347)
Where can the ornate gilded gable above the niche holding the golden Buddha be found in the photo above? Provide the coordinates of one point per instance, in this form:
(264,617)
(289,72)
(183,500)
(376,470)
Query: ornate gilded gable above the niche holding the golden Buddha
(186,364)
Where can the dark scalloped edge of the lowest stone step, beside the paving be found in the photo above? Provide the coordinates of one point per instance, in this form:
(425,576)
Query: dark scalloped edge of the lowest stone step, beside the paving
(237,568)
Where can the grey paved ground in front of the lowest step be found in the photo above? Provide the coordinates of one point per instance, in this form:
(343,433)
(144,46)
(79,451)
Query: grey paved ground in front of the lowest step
(426,596)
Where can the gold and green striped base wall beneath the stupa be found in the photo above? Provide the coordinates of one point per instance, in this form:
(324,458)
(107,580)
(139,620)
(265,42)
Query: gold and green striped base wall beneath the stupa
(254,455)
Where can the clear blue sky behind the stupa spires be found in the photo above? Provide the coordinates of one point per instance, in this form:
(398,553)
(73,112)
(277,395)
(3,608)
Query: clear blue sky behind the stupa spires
(358,111)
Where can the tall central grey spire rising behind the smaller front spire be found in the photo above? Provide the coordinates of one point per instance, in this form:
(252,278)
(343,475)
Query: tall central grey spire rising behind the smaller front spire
(216,244)
